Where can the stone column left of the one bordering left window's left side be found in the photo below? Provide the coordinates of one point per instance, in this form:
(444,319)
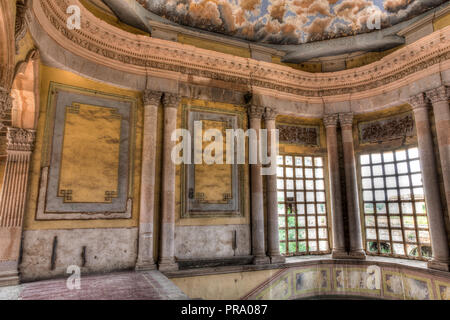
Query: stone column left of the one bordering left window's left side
(257,201)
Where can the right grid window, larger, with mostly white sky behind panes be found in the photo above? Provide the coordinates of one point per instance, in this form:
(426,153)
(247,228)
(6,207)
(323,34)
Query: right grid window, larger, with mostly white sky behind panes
(396,223)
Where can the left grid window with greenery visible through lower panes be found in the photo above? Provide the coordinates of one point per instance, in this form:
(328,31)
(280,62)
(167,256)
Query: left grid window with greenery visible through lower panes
(302,210)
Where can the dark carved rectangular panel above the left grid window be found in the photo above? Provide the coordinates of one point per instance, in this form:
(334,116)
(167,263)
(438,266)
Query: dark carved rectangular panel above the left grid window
(299,135)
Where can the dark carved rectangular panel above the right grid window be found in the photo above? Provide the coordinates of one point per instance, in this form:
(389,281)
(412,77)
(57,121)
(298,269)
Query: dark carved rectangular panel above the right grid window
(385,130)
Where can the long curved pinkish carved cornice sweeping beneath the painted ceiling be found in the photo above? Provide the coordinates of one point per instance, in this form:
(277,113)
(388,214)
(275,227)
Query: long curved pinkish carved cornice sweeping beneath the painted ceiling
(102,43)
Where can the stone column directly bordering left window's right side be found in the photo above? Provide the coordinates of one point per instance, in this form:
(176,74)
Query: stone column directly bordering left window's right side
(339,251)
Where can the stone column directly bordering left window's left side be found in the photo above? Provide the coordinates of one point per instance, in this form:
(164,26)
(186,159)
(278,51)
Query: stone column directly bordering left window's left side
(273,240)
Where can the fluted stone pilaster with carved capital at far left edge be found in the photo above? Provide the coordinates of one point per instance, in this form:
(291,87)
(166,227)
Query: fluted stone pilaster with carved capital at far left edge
(20,143)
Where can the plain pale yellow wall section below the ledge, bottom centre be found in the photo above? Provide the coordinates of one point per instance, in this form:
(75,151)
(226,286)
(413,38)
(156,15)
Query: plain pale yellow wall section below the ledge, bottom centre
(232,286)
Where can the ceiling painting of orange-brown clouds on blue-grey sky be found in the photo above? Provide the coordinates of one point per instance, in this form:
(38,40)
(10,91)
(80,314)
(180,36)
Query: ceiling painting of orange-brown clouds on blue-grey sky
(288,21)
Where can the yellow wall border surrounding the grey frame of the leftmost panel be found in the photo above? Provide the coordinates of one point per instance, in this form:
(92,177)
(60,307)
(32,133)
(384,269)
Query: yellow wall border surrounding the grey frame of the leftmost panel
(47,75)
